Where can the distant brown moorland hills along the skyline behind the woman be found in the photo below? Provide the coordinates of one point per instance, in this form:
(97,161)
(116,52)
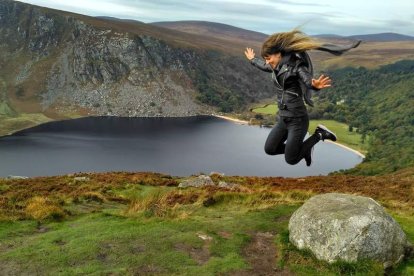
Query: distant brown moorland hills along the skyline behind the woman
(372,53)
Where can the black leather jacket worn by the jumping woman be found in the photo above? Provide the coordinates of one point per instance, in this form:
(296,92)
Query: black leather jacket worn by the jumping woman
(291,77)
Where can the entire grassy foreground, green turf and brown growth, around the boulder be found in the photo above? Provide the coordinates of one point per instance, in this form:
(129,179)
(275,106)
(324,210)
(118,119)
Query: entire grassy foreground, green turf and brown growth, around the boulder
(141,223)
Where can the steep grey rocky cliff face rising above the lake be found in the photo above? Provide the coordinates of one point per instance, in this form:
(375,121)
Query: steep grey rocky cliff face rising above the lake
(59,63)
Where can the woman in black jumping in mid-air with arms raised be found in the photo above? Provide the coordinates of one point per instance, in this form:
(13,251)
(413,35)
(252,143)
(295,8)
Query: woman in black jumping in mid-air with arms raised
(286,59)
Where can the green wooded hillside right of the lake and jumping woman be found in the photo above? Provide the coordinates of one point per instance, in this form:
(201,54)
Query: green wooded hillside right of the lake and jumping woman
(379,104)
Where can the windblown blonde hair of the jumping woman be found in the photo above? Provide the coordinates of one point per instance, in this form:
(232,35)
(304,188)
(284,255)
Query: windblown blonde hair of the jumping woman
(293,41)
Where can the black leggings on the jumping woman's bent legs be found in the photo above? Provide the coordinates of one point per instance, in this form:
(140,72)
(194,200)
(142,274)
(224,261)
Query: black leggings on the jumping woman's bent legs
(292,130)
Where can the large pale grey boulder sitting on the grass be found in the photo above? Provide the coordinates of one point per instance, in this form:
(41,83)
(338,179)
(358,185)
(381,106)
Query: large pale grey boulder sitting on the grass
(349,228)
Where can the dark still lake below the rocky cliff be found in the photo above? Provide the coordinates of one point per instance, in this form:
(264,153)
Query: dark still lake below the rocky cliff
(175,146)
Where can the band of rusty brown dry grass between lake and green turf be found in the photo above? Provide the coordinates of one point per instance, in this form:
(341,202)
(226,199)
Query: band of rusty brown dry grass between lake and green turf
(395,191)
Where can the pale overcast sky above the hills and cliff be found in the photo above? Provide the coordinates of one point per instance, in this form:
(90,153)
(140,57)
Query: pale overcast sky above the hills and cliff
(342,17)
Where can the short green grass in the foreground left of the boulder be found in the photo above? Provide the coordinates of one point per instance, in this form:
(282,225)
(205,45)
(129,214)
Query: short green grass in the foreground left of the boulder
(102,243)
